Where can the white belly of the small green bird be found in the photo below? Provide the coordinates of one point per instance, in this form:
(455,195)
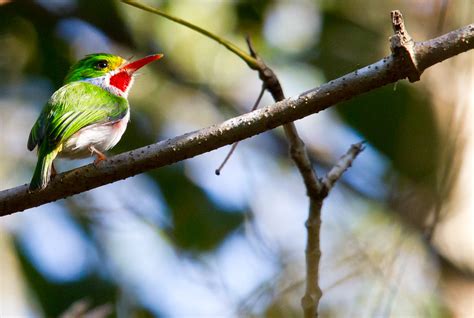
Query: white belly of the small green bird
(101,136)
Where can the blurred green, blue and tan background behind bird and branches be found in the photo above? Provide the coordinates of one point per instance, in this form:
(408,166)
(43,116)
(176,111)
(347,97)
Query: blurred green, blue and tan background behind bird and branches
(181,242)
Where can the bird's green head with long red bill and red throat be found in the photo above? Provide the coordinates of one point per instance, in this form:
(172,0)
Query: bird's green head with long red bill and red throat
(108,71)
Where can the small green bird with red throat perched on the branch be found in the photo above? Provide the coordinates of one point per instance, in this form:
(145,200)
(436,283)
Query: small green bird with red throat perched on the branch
(87,116)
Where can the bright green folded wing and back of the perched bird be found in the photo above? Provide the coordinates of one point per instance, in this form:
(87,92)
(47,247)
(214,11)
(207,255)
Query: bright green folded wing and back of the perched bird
(72,107)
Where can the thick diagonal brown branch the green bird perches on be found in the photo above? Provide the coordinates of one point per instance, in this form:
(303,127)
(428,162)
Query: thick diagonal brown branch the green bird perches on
(387,70)
